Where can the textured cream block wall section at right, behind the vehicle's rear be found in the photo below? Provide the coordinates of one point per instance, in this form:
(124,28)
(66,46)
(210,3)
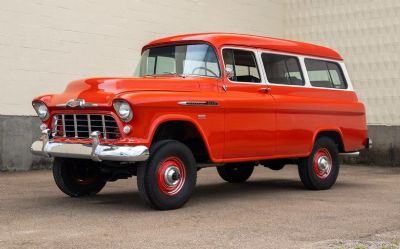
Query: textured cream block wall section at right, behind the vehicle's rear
(367,34)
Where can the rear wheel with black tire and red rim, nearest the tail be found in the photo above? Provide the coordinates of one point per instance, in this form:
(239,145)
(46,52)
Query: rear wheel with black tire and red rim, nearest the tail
(311,175)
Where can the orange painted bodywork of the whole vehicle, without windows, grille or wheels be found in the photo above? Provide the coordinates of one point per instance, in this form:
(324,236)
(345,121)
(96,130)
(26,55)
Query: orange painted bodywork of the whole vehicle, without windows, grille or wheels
(246,125)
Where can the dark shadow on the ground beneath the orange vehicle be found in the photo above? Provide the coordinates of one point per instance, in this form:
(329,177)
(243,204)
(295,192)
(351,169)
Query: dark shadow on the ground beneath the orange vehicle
(212,193)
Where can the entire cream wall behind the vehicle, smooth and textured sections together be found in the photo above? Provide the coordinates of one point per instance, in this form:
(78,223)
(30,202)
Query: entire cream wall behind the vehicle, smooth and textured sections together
(44,44)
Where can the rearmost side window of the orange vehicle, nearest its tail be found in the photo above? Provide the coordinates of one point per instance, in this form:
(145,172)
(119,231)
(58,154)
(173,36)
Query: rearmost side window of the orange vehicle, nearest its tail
(325,74)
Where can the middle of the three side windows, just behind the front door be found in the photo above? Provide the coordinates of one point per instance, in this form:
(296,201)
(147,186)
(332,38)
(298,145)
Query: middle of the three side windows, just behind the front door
(282,69)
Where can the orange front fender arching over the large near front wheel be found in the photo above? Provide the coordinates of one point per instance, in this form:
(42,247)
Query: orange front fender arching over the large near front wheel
(151,109)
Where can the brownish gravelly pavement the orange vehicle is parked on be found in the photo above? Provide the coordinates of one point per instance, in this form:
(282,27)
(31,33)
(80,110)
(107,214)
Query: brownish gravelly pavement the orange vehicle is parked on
(272,210)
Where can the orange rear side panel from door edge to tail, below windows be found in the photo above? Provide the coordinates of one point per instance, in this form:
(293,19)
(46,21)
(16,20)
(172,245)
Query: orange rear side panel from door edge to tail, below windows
(304,112)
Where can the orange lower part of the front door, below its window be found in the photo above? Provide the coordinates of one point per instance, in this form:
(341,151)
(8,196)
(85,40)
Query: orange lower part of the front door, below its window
(250,121)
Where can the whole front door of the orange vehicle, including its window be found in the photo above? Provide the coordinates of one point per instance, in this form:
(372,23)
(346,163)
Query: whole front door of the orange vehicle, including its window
(249,108)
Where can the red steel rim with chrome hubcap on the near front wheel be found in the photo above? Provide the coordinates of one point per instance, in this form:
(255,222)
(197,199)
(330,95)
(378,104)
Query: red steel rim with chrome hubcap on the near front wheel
(171,175)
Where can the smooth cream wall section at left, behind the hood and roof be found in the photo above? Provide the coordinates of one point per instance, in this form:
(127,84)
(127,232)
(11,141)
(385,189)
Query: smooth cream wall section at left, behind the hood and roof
(44,44)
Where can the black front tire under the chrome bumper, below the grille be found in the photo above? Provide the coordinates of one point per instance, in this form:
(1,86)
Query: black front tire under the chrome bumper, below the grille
(76,177)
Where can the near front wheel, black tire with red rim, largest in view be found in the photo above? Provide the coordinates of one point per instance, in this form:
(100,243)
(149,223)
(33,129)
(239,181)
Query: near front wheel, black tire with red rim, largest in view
(151,179)
